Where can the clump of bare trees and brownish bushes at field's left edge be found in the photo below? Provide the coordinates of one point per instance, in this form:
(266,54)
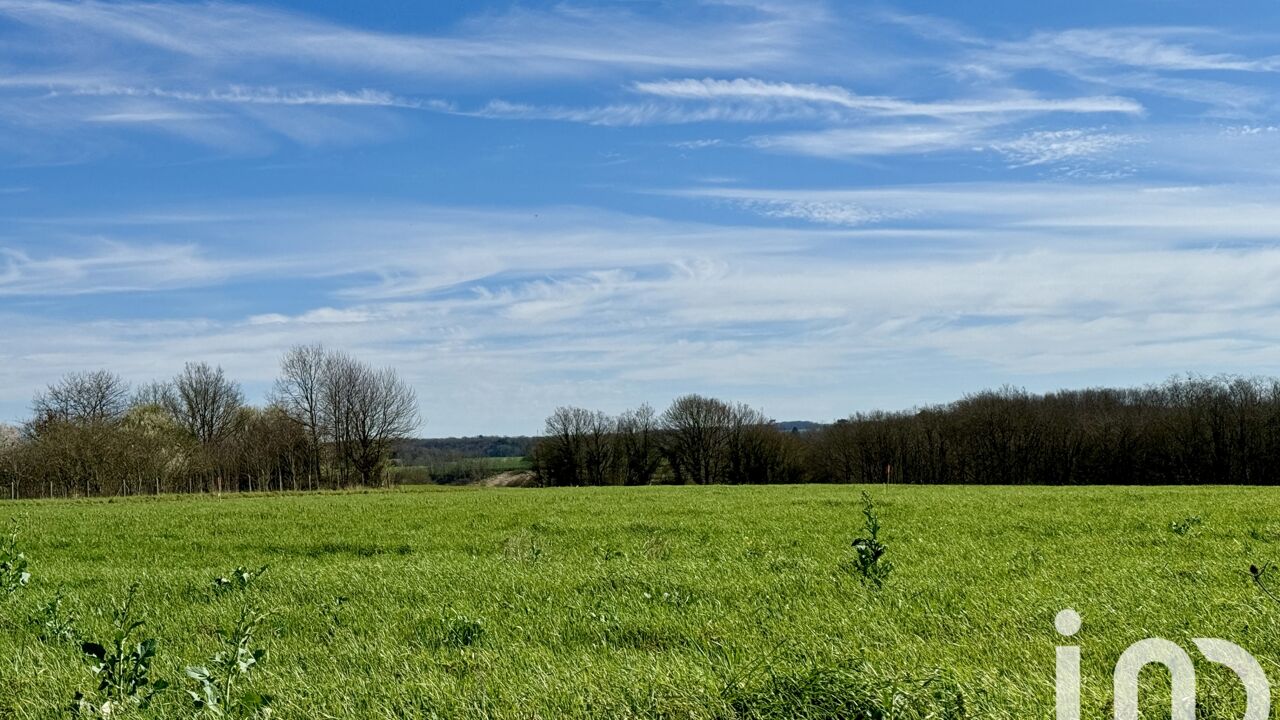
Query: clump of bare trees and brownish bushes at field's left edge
(331,422)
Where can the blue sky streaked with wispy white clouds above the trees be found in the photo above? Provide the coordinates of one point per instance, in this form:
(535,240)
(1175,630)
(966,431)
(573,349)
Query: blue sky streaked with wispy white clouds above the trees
(813,208)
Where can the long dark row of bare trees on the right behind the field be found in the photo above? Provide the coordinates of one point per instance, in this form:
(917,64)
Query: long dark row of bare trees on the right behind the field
(1186,431)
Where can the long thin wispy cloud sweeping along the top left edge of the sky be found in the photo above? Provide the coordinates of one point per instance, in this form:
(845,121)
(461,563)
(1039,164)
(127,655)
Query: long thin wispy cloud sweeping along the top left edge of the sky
(564,40)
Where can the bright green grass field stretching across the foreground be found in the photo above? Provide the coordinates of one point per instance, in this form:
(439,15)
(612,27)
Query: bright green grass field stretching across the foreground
(652,603)
